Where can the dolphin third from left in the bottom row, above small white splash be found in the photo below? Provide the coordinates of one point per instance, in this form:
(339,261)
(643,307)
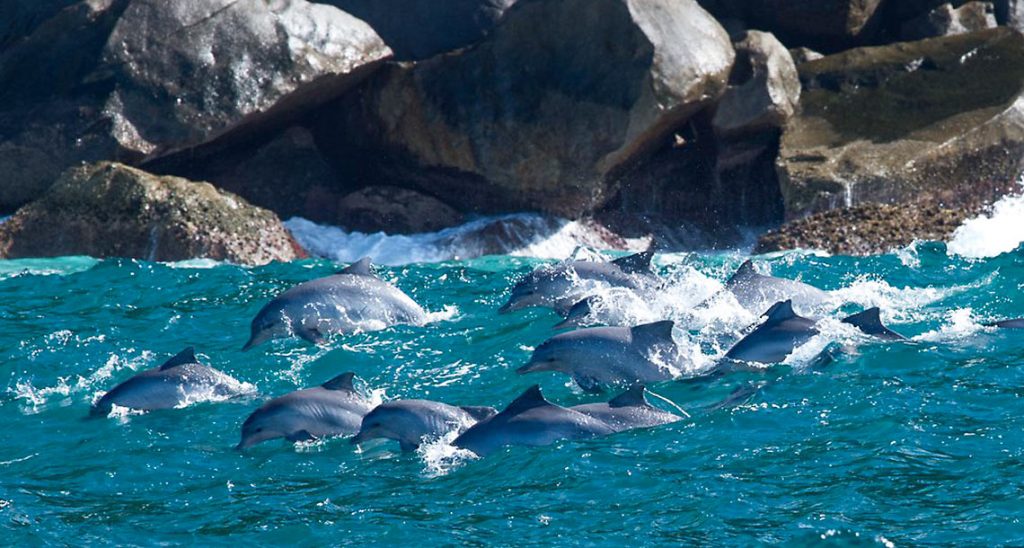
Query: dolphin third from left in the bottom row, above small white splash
(410,421)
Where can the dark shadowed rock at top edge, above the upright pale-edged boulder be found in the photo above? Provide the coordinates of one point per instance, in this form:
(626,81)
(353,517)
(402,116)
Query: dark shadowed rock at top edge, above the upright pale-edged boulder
(830,25)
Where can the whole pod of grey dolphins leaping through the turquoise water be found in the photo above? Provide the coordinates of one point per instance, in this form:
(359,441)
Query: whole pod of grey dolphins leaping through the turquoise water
(595,358)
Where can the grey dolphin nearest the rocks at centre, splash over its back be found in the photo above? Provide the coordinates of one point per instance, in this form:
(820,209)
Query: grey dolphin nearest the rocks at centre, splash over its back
(562,286)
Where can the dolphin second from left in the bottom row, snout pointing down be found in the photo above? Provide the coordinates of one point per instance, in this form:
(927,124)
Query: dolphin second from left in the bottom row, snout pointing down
(334,408)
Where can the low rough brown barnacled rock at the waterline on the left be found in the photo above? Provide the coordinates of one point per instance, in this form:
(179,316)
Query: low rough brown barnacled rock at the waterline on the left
(108,210)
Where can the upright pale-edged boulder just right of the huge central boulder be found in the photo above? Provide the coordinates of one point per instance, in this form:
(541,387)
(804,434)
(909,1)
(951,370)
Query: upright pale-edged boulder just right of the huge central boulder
(764,88)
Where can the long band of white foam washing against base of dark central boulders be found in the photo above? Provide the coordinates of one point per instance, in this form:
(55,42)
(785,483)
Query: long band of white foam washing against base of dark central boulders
(519,235)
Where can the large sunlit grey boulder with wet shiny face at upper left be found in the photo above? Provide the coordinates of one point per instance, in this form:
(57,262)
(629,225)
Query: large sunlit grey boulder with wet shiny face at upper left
(180,83)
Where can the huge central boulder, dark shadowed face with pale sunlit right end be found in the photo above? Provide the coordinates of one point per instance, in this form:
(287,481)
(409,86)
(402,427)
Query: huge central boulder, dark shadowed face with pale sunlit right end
(562,95)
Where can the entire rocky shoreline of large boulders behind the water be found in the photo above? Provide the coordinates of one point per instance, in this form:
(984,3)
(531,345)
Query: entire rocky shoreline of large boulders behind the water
(847,125)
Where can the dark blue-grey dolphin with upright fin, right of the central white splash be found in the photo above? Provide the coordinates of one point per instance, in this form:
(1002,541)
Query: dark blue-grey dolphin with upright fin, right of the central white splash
(776,339)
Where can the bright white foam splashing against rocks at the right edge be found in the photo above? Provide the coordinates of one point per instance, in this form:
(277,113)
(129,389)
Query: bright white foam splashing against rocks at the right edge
(993,235)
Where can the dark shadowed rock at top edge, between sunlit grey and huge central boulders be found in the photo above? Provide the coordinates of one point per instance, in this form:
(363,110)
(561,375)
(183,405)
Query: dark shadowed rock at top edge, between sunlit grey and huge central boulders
(422,29)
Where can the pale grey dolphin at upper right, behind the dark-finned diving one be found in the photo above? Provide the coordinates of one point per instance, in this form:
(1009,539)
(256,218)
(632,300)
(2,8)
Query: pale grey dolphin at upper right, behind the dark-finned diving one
(755,291)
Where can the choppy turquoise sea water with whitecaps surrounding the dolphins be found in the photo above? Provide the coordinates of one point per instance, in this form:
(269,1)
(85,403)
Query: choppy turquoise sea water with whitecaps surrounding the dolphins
(883,444)
